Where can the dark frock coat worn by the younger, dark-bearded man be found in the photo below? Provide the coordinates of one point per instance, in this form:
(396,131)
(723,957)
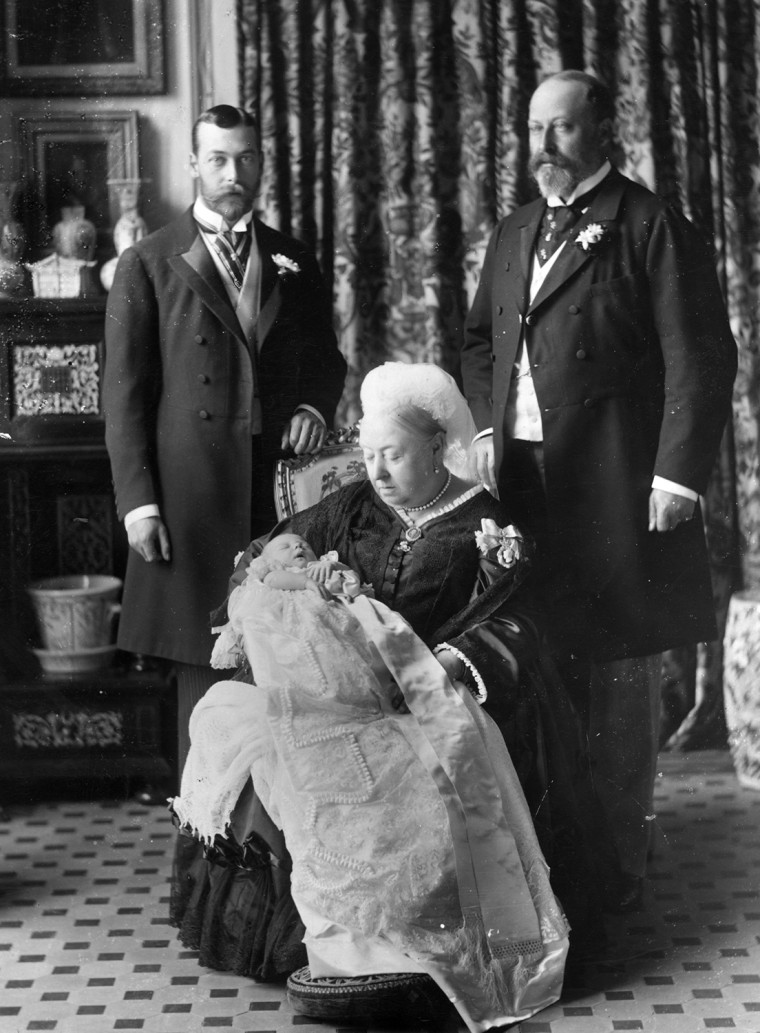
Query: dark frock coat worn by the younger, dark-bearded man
(178,400)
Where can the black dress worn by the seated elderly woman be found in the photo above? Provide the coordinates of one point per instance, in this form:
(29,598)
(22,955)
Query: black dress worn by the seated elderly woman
(234,905)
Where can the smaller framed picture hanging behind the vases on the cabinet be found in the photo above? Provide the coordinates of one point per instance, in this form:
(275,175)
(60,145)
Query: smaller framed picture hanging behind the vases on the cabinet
(70,160)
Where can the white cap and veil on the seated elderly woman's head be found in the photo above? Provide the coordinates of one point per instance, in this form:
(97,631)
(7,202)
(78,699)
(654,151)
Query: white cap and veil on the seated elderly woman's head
(392,386)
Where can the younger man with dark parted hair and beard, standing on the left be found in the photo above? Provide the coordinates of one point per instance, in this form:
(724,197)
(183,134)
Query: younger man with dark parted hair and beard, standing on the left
(220,355)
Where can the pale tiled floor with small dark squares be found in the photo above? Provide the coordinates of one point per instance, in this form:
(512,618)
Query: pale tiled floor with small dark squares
(85,946)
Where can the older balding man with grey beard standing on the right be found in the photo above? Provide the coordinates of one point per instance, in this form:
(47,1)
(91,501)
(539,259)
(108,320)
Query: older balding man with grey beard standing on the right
(598,364)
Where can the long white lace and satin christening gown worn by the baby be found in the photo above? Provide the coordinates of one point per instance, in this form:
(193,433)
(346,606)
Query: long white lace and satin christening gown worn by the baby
(411,842)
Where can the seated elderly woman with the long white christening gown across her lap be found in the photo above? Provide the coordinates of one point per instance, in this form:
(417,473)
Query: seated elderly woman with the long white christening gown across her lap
(364,754)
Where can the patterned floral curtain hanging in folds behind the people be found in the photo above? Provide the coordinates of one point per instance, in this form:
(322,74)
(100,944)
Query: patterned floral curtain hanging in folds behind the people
(395,138)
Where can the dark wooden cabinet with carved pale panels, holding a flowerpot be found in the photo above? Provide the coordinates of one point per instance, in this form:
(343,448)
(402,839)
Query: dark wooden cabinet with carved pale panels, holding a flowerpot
(57,517)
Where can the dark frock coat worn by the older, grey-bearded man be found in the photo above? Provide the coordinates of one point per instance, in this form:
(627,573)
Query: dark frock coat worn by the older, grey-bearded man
(634,362)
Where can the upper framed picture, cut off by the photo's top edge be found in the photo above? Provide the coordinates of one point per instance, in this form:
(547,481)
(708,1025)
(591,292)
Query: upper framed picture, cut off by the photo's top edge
(82,48)
